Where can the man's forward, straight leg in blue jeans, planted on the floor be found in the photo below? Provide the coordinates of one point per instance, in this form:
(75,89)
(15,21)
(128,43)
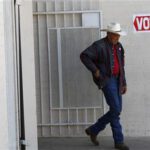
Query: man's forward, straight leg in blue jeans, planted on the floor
(114,100)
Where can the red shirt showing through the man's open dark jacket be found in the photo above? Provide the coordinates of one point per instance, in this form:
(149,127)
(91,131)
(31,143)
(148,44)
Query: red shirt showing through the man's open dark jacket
(115,69)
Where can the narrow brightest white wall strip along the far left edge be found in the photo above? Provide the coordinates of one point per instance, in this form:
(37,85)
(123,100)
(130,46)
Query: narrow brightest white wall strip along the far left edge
(3,102)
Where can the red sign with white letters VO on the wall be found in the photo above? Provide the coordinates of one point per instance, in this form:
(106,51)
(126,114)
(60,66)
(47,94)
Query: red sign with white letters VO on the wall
(141,22)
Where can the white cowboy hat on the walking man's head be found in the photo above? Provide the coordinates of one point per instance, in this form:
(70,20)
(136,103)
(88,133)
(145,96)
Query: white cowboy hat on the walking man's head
(114,27)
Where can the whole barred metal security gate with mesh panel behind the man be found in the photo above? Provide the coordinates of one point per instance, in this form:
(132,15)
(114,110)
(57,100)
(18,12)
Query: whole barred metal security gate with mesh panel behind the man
(67,99)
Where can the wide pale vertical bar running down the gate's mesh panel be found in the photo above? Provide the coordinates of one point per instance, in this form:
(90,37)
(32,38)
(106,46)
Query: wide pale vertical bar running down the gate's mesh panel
(60,68)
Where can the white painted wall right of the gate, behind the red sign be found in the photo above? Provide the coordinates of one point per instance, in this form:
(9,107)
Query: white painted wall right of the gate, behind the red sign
(136,112)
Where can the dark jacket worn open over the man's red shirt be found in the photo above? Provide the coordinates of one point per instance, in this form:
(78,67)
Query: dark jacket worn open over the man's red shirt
(99,56)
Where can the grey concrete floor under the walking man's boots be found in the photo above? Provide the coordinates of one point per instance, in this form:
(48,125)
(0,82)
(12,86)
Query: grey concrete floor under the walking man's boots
(78,143)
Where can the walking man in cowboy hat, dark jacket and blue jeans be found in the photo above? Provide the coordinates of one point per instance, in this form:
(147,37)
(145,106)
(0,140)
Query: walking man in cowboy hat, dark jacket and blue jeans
(105,59)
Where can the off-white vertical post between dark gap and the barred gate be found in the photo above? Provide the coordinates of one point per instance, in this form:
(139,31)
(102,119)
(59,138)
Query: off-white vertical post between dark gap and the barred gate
(28,68)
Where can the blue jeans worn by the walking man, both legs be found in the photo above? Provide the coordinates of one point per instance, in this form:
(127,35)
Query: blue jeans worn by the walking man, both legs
(114,100)
